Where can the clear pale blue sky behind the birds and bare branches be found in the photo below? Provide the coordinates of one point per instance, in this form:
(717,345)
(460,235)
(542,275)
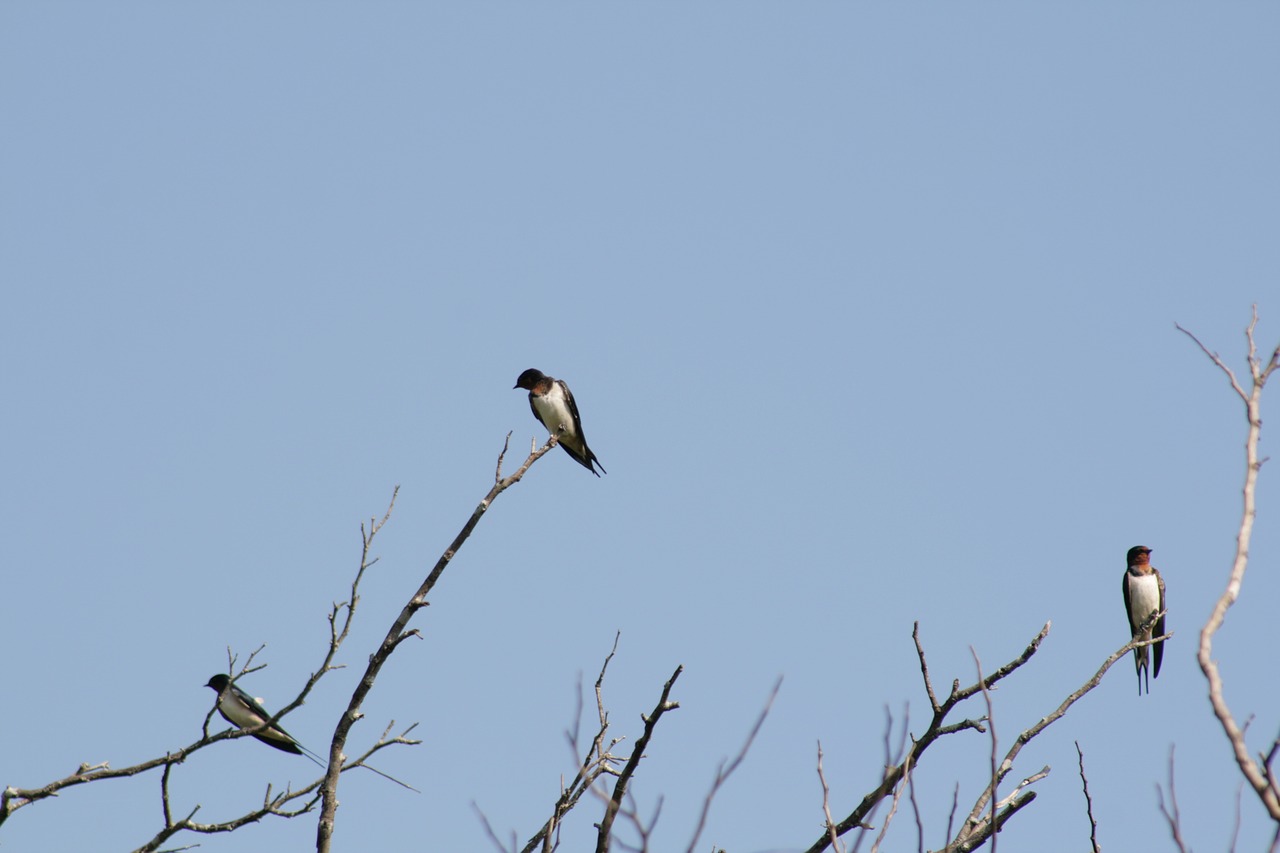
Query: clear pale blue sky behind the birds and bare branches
(870,314)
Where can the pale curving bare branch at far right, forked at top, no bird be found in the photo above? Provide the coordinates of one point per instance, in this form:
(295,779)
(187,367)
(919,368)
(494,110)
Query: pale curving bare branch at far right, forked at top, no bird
(1258,773)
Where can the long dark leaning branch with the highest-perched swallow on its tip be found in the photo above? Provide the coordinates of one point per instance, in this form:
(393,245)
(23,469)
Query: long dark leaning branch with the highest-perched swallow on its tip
(397,635)
